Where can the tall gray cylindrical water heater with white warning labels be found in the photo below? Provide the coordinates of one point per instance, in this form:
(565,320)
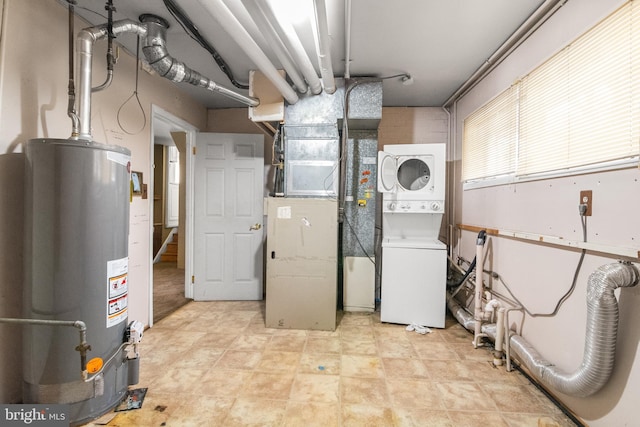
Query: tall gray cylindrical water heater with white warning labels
(76,268)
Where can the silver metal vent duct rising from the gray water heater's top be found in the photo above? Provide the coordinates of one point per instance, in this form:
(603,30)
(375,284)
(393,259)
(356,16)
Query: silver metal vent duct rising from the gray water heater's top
(153,33)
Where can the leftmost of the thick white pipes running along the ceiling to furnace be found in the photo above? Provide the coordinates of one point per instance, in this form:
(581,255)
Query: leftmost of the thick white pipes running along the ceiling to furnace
(234,28)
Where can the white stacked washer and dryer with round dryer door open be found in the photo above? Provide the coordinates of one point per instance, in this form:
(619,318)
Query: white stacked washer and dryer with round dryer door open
(411,178)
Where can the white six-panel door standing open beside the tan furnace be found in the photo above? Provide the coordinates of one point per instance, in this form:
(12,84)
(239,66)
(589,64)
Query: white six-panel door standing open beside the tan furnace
(228,214)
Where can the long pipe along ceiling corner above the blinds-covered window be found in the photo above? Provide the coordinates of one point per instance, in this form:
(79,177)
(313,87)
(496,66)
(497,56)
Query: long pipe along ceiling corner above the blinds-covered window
(537,18)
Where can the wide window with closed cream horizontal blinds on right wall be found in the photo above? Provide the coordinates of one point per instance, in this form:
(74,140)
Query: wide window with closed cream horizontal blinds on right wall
(578,110)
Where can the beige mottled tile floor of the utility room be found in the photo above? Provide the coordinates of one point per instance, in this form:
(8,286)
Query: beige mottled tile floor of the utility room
(216,364)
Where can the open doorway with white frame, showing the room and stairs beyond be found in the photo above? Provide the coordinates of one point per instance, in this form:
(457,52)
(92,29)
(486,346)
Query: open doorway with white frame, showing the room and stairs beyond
(170,211)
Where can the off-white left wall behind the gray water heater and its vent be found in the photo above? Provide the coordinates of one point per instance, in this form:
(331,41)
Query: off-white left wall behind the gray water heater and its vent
(33,103)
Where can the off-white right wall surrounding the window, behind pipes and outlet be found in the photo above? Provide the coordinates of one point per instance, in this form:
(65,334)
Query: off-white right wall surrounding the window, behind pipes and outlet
(539,274)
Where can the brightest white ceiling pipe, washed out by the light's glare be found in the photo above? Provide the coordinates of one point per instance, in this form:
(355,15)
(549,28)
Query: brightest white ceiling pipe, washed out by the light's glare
(291,40)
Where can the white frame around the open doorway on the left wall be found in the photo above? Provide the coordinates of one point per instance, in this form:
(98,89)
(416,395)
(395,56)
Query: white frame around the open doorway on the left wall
(160,114)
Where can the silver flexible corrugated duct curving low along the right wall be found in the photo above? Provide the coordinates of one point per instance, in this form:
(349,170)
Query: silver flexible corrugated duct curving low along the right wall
(600,341)
